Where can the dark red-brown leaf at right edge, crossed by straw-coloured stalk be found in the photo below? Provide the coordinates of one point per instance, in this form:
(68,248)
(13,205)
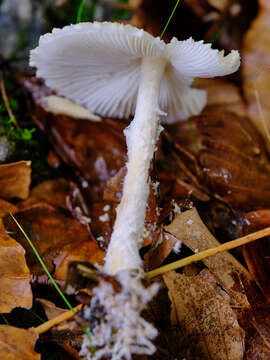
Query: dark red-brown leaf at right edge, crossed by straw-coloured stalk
(257,254)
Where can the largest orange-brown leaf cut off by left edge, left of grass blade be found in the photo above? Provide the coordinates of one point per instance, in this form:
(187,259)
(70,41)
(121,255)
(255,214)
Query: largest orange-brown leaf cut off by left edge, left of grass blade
(15,278)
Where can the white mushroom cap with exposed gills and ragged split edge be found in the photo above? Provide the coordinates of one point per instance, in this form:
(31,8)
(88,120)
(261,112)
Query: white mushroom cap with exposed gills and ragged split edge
(97,65)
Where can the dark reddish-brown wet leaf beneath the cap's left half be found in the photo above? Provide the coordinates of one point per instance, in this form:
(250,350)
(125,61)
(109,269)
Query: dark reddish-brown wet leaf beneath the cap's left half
(96,151)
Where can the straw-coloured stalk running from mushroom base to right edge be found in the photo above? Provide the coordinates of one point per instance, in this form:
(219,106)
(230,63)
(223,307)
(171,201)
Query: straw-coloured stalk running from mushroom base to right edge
(210,252)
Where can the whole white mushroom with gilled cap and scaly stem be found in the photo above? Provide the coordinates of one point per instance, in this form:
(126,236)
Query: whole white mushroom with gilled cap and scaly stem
(118,70)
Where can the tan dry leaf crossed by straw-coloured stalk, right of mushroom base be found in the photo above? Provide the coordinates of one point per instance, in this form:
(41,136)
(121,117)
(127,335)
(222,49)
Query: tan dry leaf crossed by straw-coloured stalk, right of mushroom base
(191,231)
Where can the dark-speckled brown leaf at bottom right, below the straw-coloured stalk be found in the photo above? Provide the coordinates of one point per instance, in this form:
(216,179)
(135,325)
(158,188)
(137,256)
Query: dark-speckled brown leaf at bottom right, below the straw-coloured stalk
(209,325)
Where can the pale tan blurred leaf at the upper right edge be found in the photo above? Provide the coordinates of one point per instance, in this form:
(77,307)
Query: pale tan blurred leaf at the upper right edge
(256,72)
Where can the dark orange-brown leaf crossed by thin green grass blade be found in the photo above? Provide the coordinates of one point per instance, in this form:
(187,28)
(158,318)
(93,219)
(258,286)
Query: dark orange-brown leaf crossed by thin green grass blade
(57,237)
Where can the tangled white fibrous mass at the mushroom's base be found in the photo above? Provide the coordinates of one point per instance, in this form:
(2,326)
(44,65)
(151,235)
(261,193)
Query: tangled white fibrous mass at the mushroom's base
(115,323)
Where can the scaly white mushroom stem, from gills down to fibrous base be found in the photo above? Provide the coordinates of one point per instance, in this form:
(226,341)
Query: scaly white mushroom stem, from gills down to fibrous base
(141,135)
